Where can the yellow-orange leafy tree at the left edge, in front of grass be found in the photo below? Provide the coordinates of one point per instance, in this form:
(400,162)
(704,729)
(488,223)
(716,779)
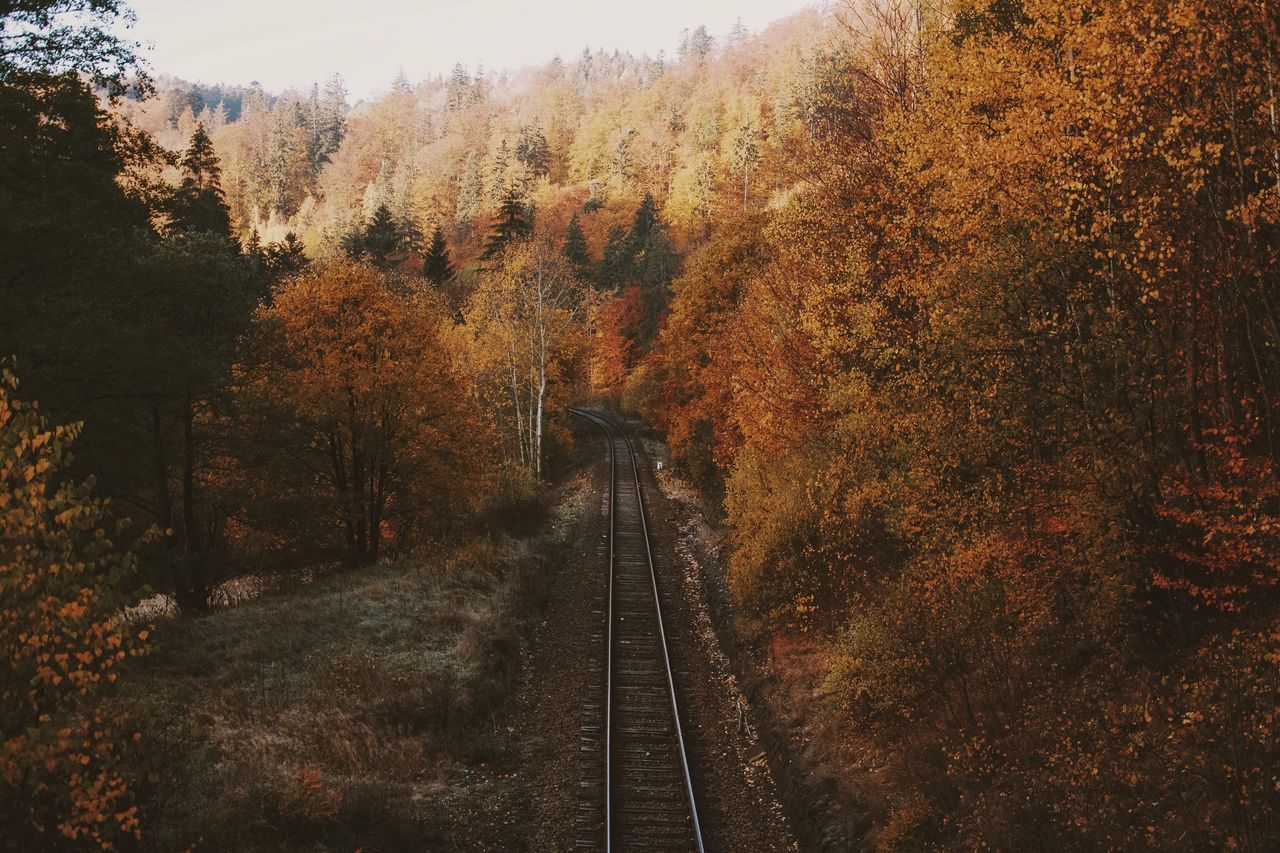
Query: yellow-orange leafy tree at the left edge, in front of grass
(65,642)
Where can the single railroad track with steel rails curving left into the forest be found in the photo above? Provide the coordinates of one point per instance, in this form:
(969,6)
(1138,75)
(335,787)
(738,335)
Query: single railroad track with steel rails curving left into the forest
(637,791)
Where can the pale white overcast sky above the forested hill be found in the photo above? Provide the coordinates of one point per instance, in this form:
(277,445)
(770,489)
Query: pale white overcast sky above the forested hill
(287,44)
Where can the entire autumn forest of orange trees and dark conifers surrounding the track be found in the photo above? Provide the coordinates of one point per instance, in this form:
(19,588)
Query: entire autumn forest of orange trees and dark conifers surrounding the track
(963,318)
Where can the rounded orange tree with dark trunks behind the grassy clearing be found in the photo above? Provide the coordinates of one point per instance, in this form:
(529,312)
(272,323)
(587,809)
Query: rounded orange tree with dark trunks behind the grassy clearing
(363,431)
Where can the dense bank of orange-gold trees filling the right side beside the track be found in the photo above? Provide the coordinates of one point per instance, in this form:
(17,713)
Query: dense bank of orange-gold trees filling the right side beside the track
(998,394)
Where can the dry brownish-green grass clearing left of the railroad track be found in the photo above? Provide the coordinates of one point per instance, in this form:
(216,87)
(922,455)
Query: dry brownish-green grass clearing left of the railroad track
(363,711)
